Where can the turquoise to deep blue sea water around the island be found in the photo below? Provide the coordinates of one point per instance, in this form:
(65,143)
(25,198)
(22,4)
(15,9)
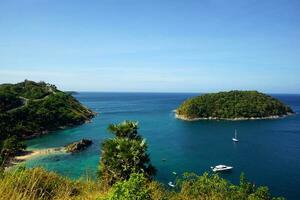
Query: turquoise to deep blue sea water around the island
(268,151)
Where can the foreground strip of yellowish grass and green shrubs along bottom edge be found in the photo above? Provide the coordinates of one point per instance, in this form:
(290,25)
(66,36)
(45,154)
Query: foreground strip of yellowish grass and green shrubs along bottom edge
(37,183)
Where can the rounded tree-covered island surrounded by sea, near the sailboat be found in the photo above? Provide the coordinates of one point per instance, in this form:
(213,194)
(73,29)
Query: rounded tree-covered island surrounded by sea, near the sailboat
(233,105)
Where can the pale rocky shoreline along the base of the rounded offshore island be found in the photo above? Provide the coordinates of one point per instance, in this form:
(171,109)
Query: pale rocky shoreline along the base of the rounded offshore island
(181,117)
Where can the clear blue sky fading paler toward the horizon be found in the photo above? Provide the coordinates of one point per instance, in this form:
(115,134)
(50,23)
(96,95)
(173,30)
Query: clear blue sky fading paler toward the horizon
(152,45)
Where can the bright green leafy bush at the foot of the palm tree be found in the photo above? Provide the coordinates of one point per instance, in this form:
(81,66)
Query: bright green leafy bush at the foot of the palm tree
(135,188)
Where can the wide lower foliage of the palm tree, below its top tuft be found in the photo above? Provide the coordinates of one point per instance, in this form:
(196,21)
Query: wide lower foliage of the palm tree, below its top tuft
(121,157)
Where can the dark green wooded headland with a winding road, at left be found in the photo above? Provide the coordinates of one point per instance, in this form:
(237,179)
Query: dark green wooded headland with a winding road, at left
(28,109)
